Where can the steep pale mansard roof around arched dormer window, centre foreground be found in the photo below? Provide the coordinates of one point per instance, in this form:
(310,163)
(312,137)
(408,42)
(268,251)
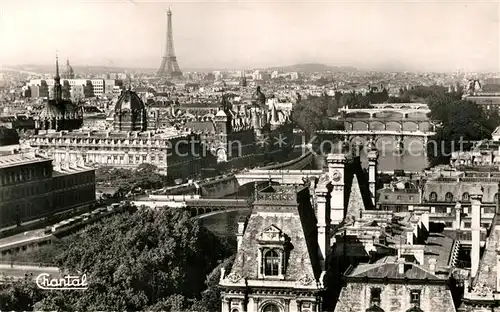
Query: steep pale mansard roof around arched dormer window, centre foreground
(297,224)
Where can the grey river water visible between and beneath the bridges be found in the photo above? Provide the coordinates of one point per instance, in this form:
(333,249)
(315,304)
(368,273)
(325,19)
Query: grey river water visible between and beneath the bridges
(413,159)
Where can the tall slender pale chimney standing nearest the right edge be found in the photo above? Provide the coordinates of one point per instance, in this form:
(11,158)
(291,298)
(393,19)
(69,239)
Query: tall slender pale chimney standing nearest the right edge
(476,196)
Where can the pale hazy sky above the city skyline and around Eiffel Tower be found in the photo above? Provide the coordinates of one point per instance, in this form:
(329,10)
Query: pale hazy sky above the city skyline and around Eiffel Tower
(391,35)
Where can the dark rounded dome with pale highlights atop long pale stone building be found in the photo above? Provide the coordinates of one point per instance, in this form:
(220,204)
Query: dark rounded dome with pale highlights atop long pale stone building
(130,112)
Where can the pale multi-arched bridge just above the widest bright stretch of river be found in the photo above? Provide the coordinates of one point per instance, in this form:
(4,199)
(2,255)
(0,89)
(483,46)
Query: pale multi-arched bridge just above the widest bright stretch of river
(419,124)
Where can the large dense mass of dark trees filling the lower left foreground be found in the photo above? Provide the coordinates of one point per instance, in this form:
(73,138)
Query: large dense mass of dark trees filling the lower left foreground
(156,260)
